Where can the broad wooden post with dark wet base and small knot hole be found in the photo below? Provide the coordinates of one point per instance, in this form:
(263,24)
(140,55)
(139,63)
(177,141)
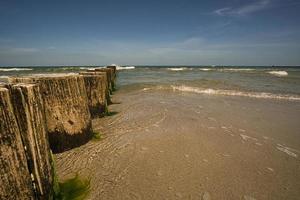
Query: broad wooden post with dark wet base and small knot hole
(68,119)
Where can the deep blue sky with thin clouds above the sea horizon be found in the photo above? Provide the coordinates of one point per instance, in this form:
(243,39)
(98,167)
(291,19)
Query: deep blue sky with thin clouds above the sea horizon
(152,32)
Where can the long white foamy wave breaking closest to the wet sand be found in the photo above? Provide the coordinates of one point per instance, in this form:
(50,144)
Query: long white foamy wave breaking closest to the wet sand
(260,95)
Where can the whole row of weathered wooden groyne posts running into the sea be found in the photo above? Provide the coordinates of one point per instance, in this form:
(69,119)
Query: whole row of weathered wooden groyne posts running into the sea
(42,113)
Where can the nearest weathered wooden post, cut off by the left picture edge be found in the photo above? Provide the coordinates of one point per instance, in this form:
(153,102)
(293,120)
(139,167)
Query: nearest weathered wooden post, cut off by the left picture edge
(15,179)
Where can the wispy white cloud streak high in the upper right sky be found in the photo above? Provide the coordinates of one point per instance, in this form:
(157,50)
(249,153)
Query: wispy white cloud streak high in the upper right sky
(244,10)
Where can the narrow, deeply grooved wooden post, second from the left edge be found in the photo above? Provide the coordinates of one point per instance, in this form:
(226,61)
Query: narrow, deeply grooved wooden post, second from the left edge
(29,112)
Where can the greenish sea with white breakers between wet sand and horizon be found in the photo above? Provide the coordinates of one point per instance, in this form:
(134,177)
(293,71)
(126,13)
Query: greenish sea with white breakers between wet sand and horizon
(281,83)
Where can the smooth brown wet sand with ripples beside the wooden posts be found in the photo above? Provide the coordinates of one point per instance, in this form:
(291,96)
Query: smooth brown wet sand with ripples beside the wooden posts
(172,145)
